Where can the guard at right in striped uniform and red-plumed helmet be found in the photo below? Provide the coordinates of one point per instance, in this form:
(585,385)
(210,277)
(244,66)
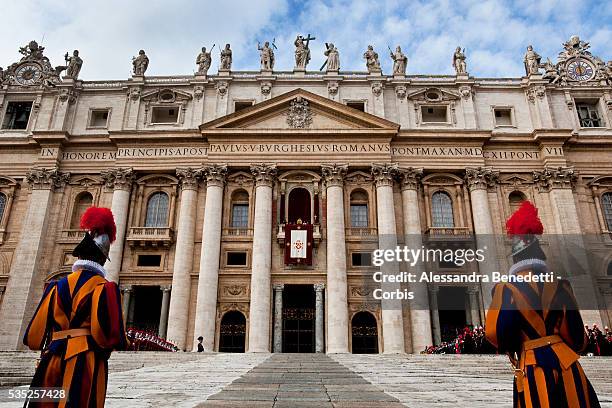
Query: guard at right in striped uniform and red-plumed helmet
(539,325)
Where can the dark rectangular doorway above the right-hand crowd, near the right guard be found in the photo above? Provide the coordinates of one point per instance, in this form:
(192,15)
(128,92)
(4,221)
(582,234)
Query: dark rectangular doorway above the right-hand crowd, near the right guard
(451,311)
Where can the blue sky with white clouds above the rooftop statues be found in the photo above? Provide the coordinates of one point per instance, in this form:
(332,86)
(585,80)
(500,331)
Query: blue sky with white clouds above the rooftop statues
(494,32)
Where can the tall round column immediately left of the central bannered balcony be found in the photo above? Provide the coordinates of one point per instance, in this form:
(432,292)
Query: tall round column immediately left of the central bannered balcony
(260,310)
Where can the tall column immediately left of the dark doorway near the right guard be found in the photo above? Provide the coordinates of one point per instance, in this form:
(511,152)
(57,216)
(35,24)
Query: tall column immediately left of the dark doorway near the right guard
(420,319)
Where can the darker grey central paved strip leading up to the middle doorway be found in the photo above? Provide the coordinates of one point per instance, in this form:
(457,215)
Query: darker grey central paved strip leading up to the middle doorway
(301,380)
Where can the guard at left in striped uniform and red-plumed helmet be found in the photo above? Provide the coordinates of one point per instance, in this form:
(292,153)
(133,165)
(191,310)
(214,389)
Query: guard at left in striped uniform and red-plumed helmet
(79,322)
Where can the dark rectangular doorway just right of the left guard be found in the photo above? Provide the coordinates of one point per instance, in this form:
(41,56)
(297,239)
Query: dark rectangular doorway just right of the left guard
(146,311)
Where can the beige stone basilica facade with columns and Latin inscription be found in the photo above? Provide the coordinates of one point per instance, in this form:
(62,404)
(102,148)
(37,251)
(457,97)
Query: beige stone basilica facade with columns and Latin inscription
(174,157)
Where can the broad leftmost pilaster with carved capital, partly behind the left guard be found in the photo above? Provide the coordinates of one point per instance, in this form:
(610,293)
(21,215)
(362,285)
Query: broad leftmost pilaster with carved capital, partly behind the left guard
(24,285)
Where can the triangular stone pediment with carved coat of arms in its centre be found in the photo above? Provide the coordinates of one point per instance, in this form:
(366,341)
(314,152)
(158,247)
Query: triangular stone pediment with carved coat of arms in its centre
(299,111)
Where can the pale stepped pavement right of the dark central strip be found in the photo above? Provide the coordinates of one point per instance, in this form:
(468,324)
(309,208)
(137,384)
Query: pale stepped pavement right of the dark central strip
(473,381)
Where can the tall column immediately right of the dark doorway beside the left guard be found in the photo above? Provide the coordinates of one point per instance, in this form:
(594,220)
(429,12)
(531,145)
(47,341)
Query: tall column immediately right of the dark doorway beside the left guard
(178,308)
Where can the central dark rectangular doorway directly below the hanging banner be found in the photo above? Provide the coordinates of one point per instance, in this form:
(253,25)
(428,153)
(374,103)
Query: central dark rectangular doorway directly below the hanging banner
(298,319)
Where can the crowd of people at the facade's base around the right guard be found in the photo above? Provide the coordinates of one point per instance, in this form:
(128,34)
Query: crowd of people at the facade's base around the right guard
(471,340)
